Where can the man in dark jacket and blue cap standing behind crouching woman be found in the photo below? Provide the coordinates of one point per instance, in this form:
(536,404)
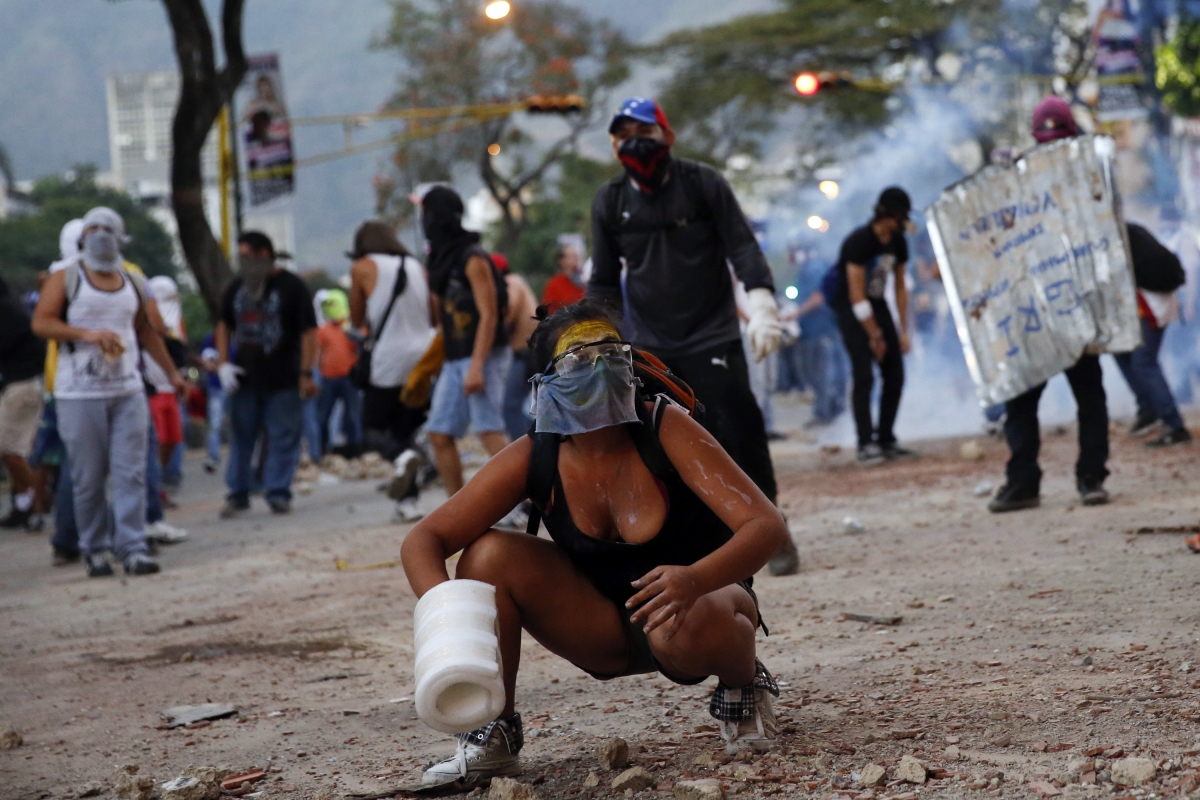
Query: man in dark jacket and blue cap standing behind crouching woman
(677,227)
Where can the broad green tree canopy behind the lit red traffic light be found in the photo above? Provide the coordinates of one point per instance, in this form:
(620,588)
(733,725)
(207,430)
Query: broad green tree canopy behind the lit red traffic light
(733,82)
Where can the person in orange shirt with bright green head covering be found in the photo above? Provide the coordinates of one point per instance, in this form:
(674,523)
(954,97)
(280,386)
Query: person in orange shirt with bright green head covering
(337,354)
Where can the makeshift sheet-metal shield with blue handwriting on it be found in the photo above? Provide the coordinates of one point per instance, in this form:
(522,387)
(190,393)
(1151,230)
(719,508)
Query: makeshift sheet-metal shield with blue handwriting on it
(1036,263)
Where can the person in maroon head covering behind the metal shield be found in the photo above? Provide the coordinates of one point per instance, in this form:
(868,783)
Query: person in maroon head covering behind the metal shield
(1053,119)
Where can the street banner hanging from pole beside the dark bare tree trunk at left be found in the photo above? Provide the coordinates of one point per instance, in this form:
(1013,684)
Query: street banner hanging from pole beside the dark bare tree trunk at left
(266,131)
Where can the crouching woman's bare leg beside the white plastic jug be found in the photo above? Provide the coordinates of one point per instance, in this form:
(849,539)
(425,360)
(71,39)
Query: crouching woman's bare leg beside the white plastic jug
(538,590)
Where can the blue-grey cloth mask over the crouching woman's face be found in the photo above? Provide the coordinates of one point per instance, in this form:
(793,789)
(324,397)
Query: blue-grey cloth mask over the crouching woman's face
(586,400)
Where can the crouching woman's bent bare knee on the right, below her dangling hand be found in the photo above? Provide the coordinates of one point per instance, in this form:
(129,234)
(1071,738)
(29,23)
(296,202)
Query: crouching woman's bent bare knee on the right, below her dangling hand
(717,639)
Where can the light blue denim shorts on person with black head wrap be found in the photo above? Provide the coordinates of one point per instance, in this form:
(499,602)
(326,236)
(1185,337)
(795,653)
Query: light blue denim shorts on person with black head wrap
(452,412)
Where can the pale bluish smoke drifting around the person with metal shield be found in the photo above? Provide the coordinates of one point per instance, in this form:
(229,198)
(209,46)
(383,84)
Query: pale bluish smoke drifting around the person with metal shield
(932,142)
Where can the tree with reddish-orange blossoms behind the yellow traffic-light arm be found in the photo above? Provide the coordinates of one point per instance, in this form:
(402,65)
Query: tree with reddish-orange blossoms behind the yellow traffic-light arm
(453,56)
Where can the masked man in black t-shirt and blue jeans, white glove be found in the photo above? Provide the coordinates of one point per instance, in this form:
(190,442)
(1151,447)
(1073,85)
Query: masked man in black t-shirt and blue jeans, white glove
(267,318)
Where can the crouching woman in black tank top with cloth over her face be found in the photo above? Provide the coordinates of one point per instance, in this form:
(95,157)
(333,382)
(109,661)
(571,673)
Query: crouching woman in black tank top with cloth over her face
(655,536)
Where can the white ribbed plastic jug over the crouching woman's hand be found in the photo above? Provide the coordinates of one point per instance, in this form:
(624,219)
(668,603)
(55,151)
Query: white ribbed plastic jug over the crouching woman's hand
(460,684)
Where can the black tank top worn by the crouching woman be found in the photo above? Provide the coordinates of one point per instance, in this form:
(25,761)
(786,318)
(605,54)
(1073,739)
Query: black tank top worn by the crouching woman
(691,532)
